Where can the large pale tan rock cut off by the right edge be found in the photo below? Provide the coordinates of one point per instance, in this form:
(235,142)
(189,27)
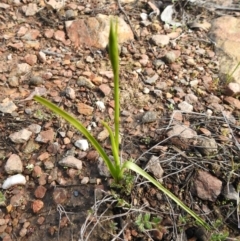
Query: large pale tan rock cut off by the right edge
(225,32)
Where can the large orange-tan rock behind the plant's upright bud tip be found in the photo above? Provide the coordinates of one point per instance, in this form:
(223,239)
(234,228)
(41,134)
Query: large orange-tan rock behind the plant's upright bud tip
(94,31)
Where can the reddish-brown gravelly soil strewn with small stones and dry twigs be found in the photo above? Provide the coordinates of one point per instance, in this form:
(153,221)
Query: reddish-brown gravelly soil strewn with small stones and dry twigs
(66,198)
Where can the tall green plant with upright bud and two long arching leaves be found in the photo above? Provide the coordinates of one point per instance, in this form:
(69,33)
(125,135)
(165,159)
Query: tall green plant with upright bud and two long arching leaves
(116,168)
